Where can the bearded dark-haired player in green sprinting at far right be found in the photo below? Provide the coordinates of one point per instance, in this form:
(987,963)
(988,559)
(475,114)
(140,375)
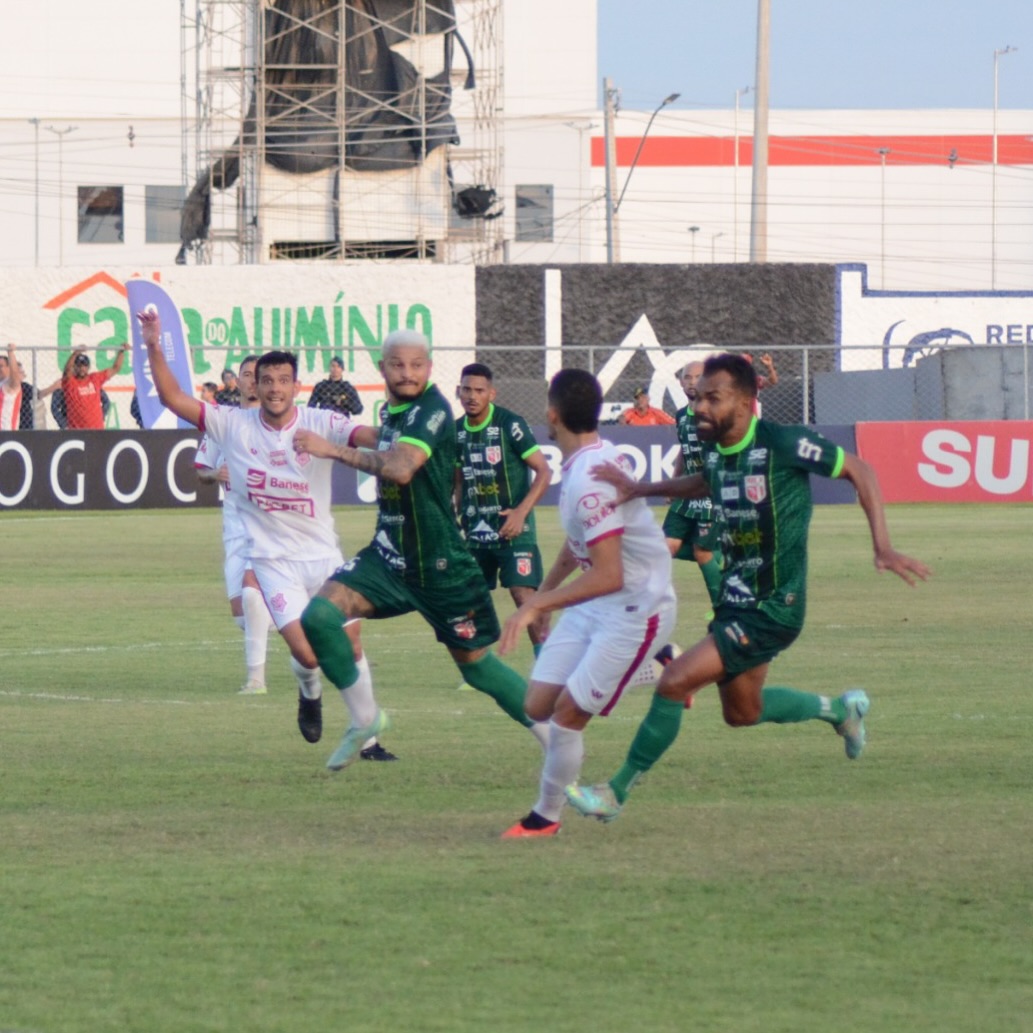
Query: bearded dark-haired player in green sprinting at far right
(759,475)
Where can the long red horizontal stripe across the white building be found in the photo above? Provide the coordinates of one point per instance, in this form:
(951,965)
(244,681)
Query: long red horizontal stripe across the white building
(675,152)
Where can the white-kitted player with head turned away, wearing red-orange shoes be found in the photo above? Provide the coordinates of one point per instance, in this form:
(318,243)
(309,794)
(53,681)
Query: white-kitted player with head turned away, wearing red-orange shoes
(616,614)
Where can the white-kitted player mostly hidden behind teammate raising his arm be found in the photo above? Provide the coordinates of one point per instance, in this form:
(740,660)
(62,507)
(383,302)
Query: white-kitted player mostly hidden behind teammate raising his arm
(246,603)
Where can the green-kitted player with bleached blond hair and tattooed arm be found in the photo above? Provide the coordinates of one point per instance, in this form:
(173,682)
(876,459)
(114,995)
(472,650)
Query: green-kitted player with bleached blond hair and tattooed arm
(418,560)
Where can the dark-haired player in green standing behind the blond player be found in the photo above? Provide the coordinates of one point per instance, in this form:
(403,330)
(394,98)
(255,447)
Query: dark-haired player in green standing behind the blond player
(500,477)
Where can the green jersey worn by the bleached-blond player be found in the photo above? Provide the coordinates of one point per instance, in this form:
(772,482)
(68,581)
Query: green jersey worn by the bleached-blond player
(417,534)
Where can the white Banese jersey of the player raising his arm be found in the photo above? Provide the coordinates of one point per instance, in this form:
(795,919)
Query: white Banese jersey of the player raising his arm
(284,498)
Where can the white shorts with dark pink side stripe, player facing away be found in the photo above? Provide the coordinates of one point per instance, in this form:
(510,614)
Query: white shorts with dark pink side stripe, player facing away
(597,655)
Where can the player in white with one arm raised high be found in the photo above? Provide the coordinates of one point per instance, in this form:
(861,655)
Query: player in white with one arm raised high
(286,505)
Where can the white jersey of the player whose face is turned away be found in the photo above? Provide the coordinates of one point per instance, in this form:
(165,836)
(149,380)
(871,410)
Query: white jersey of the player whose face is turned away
(588,515)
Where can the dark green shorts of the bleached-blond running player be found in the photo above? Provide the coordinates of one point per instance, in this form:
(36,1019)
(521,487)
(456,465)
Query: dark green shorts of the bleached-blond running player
(459,608)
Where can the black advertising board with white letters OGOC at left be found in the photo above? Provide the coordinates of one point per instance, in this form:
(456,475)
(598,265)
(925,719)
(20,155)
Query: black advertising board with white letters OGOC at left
(102,471)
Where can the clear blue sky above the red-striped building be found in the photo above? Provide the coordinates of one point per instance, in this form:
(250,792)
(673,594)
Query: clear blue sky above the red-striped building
(825,54)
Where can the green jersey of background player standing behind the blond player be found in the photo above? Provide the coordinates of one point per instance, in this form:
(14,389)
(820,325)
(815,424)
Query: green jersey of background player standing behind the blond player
(493,458)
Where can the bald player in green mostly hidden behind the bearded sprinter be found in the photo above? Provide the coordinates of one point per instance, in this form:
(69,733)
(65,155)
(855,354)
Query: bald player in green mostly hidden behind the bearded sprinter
(691,527)
